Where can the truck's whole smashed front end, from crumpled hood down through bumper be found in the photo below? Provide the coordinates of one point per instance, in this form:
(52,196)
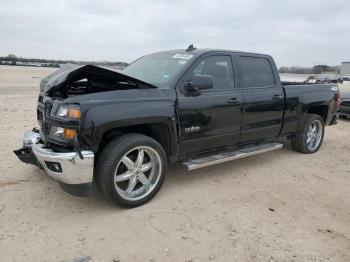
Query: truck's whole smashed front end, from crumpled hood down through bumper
(56,145)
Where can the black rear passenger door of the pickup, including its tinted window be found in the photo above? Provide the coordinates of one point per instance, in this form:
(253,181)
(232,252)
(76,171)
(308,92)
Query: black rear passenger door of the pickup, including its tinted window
(263,98)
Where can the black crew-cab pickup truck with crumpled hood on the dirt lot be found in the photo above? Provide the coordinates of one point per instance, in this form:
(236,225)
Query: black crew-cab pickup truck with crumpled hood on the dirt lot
(200,107)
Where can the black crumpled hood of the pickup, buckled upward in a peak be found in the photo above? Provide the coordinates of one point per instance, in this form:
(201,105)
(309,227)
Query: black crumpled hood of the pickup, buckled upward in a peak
(70,73)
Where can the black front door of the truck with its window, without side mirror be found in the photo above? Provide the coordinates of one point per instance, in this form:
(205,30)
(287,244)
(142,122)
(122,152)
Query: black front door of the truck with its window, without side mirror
(211,118)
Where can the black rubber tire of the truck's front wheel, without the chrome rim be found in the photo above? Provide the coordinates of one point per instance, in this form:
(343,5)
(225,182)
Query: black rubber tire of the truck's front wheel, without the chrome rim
(110,159)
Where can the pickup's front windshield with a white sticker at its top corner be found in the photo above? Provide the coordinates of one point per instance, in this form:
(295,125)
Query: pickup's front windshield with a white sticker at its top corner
(157,69)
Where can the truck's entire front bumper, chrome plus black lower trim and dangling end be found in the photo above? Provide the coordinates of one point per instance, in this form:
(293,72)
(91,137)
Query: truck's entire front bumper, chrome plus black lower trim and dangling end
(73,172)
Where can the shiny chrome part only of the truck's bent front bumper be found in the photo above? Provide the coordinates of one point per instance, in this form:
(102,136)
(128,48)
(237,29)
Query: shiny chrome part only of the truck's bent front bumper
(74,170)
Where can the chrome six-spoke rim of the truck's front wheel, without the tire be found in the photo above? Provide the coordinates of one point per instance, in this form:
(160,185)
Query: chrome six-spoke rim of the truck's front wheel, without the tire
(137,173)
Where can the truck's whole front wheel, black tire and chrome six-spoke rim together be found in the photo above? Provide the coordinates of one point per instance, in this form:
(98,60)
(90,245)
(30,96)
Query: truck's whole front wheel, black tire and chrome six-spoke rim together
(131,169)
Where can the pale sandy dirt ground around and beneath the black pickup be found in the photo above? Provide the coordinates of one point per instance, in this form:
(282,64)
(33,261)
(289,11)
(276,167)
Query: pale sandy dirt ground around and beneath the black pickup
(278,206)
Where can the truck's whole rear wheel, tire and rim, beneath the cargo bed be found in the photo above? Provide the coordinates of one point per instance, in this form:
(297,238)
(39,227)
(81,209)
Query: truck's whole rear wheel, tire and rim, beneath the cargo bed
(310,138)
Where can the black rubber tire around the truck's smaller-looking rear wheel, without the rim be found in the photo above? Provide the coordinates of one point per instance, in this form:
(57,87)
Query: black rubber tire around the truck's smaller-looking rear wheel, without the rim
(299,142)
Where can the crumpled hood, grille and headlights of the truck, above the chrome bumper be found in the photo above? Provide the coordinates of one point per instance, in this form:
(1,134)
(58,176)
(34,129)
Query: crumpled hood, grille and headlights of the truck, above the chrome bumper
(59,121)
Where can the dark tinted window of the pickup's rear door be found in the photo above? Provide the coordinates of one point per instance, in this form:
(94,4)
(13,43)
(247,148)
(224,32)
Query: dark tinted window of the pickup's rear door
(255,72)
